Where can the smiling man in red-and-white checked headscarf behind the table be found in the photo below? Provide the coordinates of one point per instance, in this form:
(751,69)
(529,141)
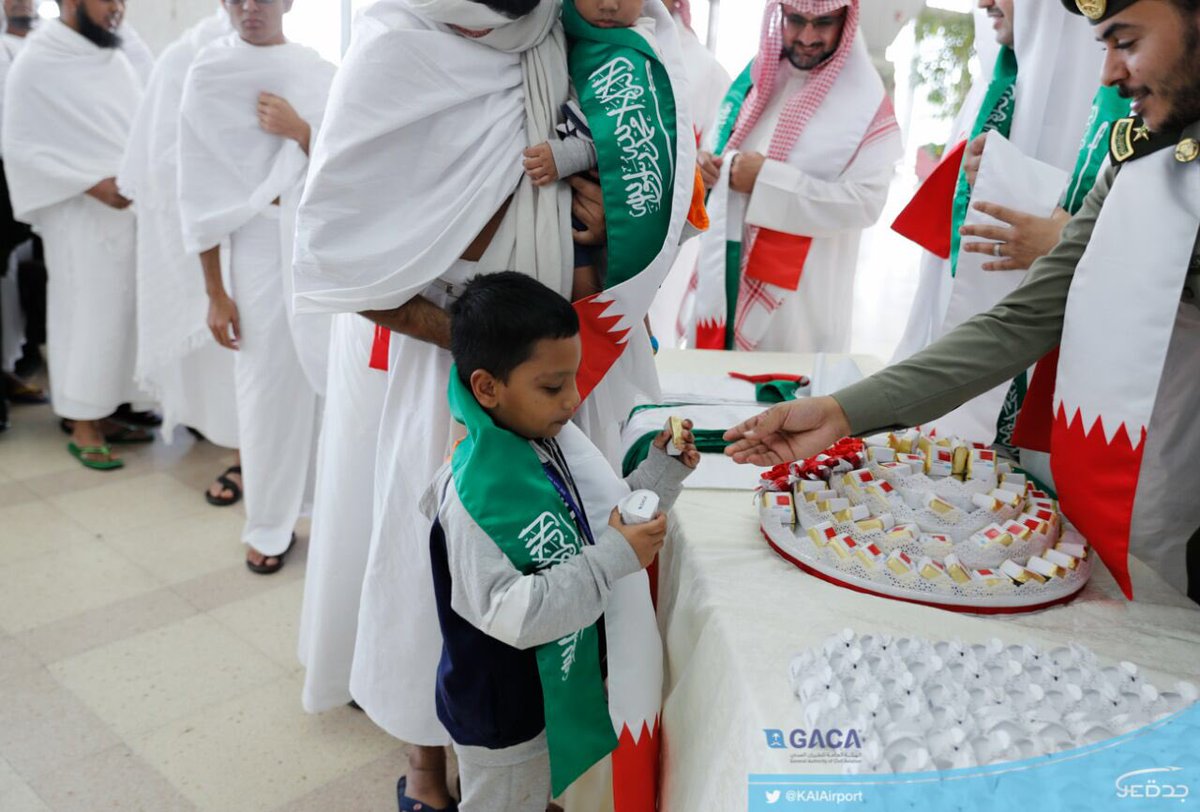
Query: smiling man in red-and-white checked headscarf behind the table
(805,170)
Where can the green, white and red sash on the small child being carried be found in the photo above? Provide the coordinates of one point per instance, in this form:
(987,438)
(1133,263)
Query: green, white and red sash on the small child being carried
(626,92)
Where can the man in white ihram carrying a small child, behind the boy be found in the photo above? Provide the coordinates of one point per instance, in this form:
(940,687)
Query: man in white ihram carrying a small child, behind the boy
(391,228)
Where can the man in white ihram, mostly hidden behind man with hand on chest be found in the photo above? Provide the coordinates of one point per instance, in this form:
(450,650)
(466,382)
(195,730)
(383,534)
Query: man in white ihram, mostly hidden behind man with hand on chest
(179,364)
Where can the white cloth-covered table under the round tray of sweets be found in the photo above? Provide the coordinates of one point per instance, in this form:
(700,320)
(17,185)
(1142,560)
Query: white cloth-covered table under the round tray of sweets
(734,616)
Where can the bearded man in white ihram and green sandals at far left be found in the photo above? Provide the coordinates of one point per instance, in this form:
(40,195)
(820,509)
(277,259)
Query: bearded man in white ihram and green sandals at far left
(71,101)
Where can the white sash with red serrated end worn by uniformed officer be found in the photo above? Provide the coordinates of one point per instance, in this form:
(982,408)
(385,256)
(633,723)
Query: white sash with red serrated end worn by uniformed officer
(1119,323)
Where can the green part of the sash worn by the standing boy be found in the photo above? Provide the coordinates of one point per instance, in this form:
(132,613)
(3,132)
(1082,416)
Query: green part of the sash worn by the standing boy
(505,488)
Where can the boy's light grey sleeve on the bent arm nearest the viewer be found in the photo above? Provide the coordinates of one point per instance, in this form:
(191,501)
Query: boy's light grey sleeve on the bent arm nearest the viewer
(529,611)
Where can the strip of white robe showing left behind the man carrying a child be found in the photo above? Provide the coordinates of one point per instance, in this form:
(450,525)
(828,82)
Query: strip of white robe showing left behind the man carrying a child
(343,514)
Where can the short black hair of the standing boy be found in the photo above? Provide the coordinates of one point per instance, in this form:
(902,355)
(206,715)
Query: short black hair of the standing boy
(500,318)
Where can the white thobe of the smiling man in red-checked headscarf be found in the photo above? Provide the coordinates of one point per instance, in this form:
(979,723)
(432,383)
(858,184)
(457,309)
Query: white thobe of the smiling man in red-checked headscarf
(832,206)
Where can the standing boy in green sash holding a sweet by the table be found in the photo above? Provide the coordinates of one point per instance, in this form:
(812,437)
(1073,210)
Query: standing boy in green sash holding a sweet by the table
(521,579)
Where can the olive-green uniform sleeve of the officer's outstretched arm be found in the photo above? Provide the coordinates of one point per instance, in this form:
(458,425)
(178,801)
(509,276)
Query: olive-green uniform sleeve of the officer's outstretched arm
(986,351)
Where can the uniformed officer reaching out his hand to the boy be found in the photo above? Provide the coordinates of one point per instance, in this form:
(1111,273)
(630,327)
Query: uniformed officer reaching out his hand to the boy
(1119,292)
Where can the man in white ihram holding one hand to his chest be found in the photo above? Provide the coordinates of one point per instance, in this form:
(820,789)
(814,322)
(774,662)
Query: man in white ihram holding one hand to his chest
(251,106)
